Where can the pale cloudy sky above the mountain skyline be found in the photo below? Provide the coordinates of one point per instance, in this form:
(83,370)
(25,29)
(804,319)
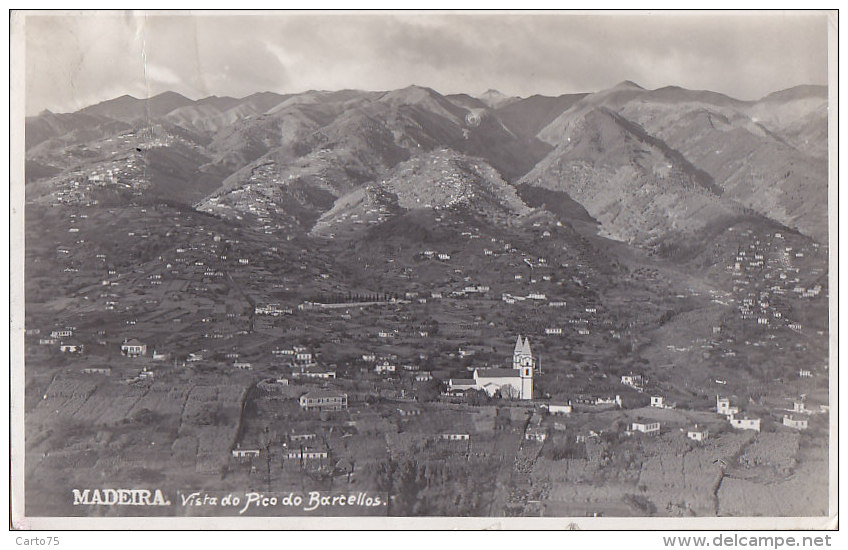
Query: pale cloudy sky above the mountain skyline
(78,59)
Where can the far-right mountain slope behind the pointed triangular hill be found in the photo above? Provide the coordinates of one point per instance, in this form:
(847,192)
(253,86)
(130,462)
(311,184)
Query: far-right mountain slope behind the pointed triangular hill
(766,155)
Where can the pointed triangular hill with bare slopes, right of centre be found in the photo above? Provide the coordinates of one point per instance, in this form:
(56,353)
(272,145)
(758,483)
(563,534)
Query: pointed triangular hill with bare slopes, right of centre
(639,189)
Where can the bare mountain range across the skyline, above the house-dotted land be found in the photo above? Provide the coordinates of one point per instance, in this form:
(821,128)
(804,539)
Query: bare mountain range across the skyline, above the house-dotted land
(321,145)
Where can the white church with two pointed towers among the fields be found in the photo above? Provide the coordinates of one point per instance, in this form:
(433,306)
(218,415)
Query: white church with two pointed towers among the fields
(514,383)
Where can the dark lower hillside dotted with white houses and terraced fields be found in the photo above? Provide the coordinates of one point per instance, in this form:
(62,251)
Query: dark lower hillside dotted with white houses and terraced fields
(264,387)
